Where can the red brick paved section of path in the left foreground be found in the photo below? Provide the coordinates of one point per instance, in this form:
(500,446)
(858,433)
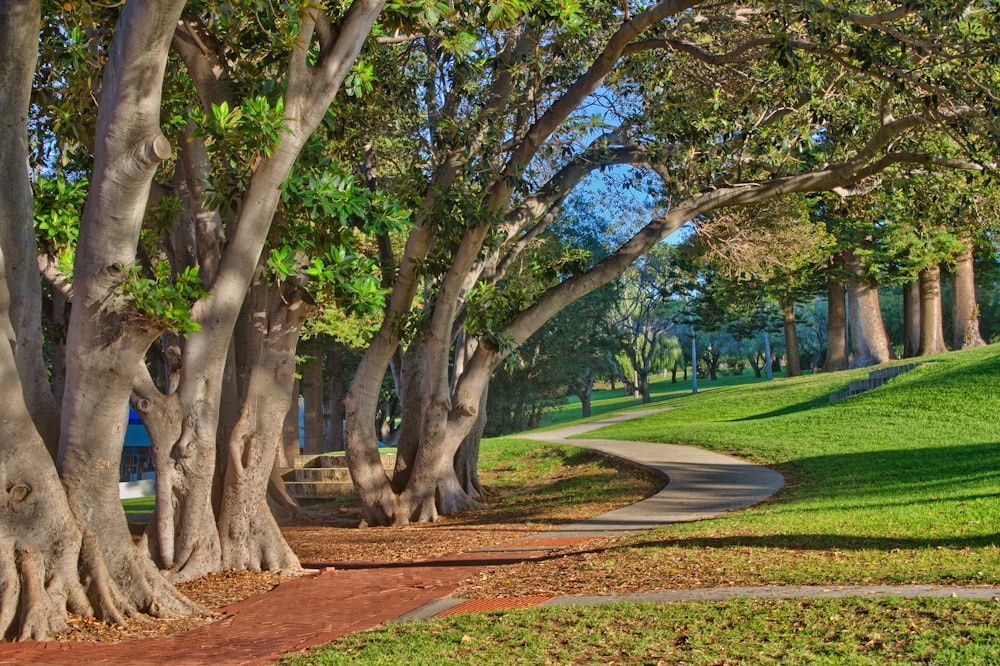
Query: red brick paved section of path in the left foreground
(298,614)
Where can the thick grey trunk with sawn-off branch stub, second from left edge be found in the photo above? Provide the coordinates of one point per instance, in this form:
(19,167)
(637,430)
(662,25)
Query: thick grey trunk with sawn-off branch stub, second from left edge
(107,339)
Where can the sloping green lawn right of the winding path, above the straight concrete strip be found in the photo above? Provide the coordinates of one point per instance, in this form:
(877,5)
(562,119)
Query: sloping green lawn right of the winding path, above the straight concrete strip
(896,485)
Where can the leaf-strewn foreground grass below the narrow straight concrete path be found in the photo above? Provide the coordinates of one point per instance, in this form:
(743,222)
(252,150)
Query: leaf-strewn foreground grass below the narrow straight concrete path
(742,631)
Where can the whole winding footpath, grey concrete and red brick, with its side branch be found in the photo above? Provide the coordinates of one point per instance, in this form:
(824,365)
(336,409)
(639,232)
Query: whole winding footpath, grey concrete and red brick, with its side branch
(355,596)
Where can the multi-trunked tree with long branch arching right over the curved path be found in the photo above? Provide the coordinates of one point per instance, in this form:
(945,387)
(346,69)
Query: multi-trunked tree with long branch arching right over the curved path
(511,149)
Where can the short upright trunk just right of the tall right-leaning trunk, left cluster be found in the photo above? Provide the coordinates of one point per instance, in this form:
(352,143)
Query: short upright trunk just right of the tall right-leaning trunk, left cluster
(249,535)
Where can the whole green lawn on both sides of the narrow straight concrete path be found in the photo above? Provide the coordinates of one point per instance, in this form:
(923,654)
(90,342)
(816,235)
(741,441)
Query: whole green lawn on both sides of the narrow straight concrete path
(898,485)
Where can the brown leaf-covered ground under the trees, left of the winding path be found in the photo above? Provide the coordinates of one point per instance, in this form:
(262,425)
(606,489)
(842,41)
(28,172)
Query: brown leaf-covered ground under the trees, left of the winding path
(535,490)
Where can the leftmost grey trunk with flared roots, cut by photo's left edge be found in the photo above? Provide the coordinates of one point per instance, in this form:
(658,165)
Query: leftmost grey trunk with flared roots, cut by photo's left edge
(40,540)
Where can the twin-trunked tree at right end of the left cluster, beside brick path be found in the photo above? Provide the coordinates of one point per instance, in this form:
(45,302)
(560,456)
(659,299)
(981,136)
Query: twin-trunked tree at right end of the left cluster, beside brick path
(187,539)
